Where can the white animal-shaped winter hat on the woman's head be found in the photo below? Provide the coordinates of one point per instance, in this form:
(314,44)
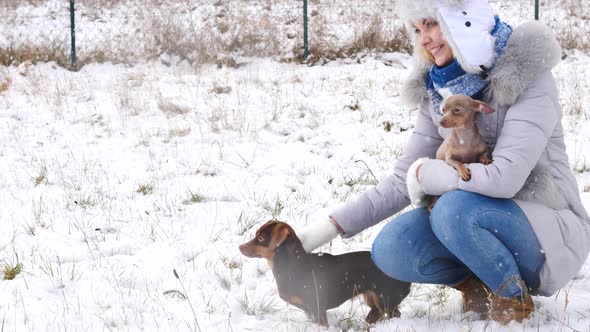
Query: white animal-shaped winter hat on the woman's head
(465,25)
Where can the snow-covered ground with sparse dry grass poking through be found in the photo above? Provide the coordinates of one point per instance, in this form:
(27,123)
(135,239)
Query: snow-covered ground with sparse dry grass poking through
(115,176)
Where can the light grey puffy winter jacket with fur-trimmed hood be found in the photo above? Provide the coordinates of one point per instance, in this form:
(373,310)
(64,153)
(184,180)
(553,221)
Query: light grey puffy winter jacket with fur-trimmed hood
(524,131)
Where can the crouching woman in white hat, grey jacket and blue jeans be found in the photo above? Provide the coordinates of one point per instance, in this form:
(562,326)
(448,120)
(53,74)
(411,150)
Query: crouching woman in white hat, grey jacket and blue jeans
(495,249)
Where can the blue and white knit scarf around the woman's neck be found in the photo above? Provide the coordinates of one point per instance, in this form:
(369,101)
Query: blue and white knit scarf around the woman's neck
(456,81)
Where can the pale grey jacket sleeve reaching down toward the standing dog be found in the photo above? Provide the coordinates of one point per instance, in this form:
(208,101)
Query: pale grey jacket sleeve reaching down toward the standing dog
(390,195)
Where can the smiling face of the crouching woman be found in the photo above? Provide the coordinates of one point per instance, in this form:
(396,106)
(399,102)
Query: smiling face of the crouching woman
(431,39)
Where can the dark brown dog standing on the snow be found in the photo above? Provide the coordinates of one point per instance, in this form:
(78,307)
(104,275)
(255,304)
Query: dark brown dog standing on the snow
(318,282)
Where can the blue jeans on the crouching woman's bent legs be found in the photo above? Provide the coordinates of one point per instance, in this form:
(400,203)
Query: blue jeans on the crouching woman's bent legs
(466,234)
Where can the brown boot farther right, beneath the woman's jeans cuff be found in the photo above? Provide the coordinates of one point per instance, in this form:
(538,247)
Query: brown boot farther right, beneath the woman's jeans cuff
(507,309)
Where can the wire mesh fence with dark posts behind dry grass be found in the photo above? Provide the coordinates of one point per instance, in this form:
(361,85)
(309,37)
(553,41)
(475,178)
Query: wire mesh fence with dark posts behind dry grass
(219,30)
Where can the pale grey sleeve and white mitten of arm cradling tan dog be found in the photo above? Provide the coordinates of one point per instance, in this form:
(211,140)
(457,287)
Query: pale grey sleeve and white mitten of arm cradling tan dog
(525,134)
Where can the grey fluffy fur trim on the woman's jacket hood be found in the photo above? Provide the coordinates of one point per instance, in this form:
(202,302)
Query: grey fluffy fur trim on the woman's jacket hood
(531,49)
